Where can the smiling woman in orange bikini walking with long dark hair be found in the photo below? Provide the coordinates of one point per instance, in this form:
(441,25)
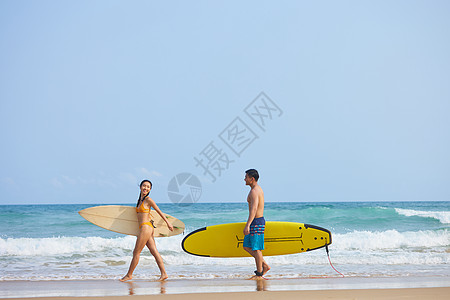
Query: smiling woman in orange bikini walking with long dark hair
(146,229)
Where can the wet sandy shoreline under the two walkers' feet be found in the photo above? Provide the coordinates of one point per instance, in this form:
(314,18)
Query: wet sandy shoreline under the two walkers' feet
(190,289)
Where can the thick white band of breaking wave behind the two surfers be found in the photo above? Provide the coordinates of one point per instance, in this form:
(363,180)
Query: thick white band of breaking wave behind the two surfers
(98,246)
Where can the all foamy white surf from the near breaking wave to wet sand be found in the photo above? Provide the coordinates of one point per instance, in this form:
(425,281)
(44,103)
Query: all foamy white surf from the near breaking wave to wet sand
(360,252)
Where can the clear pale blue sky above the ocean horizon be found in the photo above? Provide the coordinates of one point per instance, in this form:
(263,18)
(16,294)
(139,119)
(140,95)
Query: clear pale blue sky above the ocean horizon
(328,100)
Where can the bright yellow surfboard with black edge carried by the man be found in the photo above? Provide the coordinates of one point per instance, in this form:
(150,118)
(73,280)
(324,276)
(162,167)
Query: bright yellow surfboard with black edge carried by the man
(280,238)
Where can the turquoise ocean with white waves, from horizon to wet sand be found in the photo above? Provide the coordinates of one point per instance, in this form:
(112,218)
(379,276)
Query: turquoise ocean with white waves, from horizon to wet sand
(370,239)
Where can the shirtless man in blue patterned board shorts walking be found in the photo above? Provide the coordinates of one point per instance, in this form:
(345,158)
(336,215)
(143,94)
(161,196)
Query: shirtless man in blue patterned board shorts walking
(254,229)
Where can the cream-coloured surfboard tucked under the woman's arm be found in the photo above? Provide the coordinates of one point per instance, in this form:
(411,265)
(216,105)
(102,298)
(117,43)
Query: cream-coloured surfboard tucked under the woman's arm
(123,219)
